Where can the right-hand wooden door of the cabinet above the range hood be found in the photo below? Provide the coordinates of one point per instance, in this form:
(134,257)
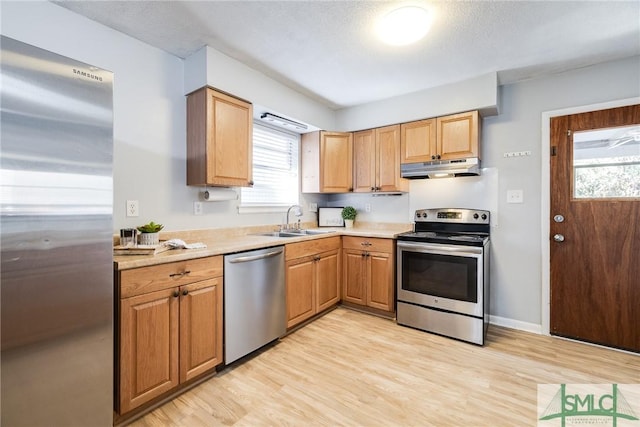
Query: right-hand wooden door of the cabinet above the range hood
(458,136)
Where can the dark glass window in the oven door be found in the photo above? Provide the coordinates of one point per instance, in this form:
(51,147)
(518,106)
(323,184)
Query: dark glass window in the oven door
(445,276)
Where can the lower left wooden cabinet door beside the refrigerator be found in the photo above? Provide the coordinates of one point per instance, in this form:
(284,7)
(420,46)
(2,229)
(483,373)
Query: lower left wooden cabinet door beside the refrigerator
(148,347)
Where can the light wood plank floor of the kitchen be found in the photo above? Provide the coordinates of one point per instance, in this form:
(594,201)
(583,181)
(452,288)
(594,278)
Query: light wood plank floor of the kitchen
(353,369)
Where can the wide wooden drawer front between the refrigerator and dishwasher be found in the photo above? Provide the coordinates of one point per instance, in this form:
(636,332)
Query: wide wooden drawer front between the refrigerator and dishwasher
(139,281)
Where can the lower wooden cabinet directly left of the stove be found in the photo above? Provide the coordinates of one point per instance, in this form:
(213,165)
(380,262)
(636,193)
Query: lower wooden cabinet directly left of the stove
(368,272)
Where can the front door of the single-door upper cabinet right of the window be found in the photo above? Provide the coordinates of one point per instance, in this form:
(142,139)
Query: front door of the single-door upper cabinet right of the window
(336,164)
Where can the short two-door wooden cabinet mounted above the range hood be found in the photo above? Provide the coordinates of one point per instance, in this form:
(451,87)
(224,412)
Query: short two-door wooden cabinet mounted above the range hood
(444,138)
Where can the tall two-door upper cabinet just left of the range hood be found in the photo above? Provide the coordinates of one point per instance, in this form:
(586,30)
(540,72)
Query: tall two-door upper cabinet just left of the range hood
(376,165)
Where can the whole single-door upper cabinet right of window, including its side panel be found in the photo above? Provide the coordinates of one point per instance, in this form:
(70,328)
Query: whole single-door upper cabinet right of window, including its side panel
(327,162)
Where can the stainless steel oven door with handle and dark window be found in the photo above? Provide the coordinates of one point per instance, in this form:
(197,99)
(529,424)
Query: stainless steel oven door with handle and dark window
(440,276)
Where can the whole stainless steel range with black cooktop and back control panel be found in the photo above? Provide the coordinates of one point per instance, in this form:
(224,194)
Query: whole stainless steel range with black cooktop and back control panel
(443,273)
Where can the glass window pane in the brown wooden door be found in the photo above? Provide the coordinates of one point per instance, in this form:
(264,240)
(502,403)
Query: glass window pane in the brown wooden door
(606,163)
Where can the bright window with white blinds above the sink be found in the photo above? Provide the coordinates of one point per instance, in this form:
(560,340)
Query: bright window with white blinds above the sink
(275,169)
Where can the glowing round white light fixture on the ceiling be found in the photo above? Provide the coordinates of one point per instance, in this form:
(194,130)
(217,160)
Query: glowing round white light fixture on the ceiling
(404,26)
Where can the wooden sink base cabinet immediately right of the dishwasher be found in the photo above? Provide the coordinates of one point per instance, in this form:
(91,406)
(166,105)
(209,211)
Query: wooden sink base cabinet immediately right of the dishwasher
(312,278)
